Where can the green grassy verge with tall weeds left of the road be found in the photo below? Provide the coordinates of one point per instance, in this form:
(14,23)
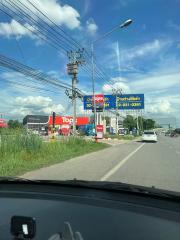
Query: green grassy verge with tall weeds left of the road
(21,152)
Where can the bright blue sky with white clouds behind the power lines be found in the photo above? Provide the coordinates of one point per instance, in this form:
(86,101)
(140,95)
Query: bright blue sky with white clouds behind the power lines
(143,58)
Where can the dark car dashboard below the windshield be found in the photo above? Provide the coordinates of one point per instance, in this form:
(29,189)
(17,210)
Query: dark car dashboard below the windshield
(92,214)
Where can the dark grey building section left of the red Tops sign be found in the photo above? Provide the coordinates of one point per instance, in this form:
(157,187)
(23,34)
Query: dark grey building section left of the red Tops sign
(37,123)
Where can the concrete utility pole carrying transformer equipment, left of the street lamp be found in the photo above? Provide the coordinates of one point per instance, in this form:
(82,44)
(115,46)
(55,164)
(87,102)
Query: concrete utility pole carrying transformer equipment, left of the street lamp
(75,59)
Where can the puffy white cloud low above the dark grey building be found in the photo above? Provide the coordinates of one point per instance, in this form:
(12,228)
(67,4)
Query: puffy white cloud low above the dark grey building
(36,105)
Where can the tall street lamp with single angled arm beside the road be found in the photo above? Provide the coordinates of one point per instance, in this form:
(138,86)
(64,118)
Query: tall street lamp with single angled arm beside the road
(124,24)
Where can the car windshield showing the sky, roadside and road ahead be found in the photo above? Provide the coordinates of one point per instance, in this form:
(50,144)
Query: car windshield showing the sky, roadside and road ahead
(81,82)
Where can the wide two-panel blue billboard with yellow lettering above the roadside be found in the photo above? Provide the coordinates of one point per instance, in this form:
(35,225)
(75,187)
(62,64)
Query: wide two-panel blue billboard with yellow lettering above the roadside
(124,102)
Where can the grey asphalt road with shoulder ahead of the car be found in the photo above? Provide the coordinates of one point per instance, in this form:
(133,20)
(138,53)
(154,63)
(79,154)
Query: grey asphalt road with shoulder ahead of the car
(147,164)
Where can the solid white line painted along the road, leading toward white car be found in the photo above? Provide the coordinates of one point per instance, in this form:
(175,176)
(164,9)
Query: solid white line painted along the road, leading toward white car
(120,164)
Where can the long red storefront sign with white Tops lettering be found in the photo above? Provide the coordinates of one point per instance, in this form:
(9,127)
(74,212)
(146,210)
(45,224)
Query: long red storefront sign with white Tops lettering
(60,120)
